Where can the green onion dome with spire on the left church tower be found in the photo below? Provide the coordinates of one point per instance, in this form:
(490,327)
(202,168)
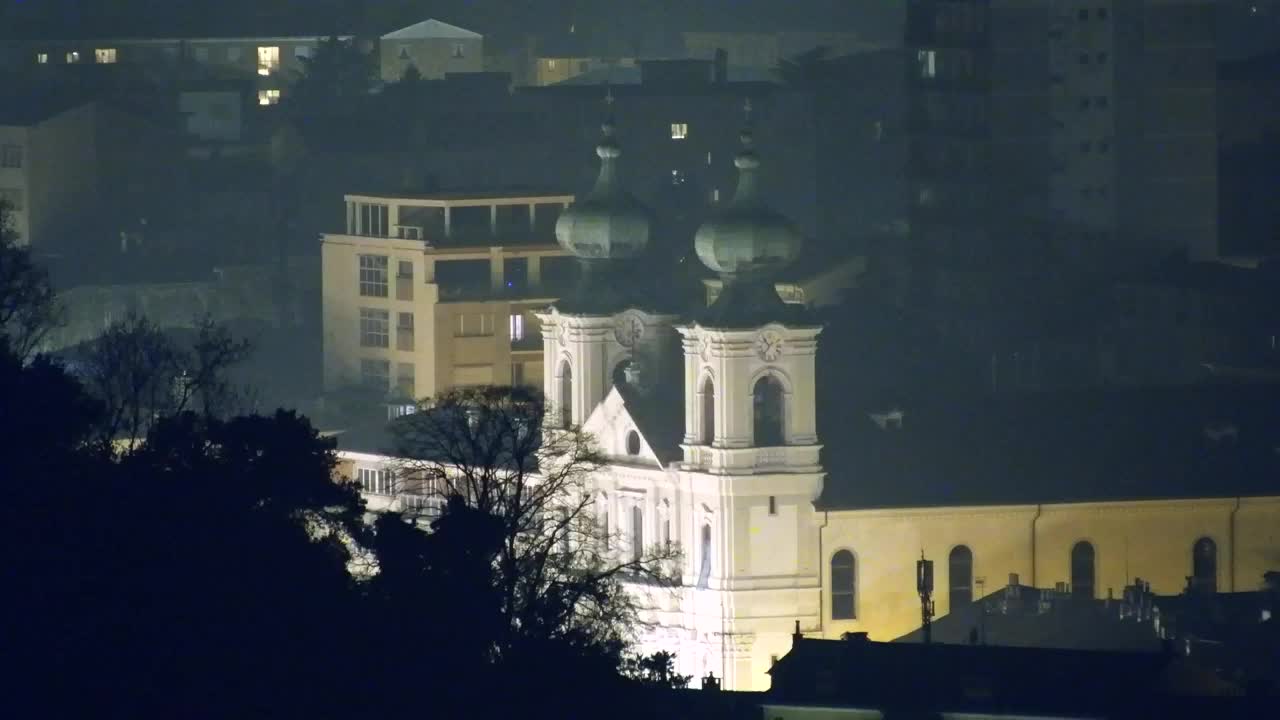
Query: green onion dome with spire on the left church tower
(610,224)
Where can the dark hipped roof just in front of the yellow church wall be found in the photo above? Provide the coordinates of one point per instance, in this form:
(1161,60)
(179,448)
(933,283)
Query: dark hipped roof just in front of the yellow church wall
(1026,617)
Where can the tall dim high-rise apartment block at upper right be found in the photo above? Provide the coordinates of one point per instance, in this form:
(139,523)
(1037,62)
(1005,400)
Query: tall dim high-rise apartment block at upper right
(1060,131)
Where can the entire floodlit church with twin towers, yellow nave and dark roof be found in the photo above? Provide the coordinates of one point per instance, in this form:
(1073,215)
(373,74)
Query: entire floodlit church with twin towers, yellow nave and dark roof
(710,420)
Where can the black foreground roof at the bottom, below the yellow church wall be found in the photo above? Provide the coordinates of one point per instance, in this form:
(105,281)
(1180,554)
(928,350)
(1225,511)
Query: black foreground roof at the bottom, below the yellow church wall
(957,678)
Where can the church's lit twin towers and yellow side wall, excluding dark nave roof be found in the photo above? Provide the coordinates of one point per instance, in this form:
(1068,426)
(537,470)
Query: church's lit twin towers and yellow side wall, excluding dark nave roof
(710,421)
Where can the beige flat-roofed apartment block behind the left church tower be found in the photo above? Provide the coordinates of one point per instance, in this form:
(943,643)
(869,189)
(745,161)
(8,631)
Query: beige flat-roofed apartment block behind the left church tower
(433,291)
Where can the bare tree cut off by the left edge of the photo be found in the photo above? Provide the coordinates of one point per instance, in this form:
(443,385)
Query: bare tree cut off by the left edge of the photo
(29,309)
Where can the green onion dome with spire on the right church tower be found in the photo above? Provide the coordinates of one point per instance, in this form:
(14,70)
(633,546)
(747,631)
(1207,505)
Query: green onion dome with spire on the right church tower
(748,240)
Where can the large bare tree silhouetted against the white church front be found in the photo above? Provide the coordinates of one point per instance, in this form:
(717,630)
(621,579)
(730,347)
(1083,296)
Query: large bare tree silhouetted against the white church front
(559,573)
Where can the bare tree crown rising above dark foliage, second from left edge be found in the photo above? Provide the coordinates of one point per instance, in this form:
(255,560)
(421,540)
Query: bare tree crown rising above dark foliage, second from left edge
(140,375)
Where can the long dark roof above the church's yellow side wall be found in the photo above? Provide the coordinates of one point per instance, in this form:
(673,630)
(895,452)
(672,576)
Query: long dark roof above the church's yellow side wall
(1090,445)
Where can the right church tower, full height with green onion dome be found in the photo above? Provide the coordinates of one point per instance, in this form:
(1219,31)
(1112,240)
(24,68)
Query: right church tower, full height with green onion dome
(751,452)
